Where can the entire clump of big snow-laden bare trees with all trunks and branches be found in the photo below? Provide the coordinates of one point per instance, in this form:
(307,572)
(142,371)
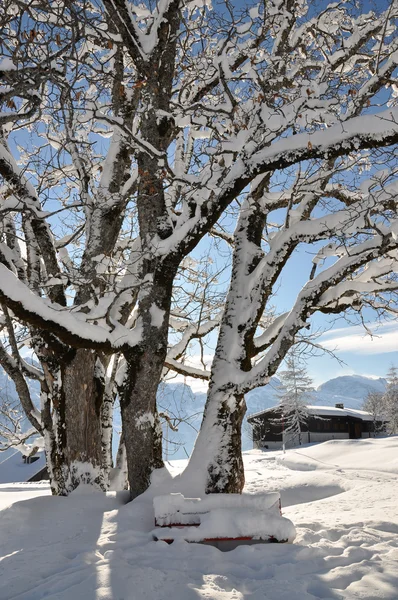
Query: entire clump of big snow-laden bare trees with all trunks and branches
(127,130)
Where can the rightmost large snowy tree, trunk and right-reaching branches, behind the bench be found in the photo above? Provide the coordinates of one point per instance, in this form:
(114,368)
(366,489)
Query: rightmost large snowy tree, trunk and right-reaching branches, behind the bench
(353,267)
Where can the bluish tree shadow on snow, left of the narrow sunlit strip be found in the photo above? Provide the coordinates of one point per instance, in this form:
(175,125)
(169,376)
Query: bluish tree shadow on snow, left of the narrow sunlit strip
(49,546)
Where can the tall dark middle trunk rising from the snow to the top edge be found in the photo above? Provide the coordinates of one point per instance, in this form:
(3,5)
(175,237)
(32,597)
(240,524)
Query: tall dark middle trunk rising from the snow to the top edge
(141,426)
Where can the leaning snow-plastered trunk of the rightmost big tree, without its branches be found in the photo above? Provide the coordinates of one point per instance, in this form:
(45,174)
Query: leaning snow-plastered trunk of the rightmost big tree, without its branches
(218,449)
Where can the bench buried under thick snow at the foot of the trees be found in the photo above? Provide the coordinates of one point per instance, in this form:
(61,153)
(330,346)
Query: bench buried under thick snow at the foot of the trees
(222,520)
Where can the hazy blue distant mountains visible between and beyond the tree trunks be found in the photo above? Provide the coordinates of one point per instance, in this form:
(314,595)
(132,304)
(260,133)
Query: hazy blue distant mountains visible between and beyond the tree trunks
(186,408)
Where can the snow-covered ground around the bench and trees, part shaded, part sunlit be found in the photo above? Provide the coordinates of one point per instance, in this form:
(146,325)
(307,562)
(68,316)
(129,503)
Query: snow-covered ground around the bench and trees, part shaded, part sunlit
(341,495)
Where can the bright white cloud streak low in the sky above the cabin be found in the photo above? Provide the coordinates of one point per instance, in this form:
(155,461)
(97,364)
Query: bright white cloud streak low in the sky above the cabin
(355,339)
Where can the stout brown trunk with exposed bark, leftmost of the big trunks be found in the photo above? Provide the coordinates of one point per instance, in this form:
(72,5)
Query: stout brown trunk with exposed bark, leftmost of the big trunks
(71,406)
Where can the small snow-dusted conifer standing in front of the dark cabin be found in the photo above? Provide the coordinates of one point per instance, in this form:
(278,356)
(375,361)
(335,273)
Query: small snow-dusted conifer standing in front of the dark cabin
(294,394)
